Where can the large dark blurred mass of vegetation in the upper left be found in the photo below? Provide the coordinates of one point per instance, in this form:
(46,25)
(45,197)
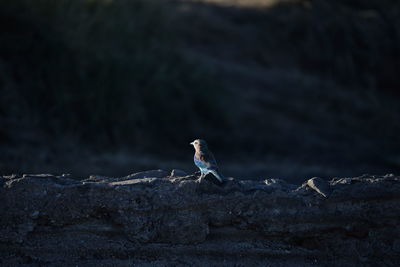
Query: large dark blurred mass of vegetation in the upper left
(107,71)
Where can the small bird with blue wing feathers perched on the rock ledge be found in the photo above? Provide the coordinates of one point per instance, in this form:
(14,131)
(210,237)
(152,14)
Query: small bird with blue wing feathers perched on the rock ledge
(205,161)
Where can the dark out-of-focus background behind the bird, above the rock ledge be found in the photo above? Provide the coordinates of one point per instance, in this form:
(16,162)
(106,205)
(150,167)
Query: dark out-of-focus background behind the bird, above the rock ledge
(279,89)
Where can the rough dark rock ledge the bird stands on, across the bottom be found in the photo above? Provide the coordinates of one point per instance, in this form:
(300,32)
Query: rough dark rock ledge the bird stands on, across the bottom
(155,218)
